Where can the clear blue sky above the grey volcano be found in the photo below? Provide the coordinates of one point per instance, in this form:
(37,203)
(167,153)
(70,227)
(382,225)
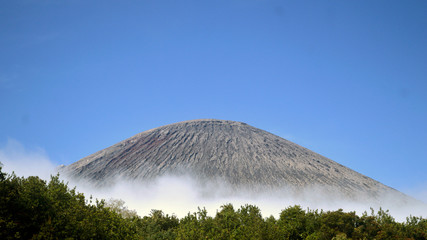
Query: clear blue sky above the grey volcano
(346,79)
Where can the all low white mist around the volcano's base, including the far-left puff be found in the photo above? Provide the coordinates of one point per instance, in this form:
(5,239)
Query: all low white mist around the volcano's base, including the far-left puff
(181,195)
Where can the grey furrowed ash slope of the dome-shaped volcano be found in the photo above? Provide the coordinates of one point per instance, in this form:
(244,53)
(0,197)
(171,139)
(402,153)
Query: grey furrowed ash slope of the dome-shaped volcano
(235,153)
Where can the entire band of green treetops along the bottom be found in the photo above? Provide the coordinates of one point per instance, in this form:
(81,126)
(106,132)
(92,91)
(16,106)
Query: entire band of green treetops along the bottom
(32,208)
